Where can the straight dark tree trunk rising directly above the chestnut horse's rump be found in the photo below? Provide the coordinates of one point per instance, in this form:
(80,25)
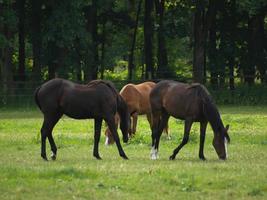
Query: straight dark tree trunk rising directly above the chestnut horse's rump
(148,36)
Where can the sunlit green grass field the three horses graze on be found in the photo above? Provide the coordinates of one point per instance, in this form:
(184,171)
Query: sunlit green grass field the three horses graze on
(77,175)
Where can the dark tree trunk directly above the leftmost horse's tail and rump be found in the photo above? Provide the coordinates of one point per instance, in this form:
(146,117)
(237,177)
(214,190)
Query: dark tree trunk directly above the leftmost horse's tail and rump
(36,38)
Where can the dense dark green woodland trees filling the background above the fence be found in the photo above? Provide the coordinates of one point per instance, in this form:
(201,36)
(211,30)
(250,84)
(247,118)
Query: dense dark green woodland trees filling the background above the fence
(208,41)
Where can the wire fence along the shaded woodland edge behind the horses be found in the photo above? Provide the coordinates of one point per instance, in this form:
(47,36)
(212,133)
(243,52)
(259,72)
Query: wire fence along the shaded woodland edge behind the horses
(21,94)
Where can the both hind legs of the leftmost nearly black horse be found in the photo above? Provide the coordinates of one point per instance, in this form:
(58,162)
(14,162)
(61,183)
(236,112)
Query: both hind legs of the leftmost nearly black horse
(46,132)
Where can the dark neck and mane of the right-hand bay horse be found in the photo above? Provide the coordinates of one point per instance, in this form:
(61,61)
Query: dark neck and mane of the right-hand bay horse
(210,110)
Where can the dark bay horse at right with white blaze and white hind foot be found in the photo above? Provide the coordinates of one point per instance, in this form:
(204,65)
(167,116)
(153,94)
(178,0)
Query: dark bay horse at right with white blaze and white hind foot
(191,103)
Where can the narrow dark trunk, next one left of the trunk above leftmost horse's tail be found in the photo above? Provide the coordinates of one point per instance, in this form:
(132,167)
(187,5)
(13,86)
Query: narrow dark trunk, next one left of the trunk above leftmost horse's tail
(21,29)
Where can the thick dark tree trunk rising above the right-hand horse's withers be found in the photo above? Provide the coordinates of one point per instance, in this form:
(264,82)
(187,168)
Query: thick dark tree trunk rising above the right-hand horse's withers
(199,43)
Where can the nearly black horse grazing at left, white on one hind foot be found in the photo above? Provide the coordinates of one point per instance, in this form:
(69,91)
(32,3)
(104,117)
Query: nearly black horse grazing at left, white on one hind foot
(98,100)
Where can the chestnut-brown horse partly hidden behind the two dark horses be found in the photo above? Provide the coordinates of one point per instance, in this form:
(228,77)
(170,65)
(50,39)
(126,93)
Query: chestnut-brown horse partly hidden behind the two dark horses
(137,100)
